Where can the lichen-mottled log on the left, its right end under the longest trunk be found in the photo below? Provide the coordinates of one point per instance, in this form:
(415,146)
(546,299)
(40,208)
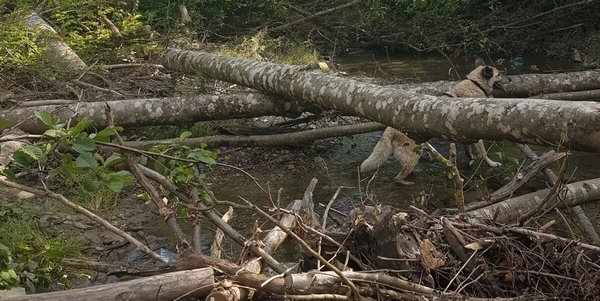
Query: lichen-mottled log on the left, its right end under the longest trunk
(160,111)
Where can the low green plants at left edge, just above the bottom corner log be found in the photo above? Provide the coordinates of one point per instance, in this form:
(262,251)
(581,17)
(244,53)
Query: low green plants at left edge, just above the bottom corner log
(29,258)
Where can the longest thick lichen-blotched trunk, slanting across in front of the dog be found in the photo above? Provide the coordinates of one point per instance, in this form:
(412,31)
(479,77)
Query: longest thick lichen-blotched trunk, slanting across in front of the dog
(545,122)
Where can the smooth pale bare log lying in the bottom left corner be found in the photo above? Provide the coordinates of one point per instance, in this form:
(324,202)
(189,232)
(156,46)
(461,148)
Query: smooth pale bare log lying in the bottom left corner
(166,287)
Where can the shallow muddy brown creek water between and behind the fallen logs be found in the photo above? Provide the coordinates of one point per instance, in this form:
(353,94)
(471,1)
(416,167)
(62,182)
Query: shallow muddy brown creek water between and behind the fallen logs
(335,163)
